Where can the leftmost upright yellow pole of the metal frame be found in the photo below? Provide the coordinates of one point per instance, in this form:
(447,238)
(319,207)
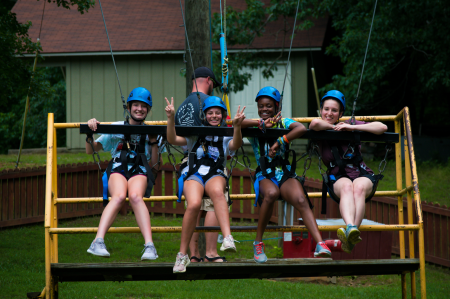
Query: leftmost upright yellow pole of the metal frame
(48,206)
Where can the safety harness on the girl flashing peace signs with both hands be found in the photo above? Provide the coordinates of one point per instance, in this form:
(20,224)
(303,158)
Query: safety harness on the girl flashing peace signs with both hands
(206,159)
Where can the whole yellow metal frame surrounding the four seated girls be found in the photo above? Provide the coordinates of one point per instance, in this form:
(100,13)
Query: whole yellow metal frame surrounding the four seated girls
(411,190)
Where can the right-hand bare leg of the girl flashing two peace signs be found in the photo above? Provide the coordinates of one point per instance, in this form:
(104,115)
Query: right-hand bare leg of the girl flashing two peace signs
(215,188)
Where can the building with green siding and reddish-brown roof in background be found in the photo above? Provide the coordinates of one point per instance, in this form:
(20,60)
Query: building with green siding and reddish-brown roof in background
(148,45)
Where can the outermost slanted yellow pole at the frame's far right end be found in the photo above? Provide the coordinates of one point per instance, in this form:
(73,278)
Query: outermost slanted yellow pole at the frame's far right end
(415,183)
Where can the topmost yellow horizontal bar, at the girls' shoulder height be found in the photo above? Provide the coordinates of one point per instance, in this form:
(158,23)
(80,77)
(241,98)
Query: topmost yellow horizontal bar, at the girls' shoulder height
(298,119)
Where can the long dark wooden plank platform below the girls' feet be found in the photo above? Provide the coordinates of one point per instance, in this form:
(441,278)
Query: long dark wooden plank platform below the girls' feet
(235,270)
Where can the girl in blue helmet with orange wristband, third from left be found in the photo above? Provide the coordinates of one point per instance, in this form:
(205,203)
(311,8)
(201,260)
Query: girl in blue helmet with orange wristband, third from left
(275,177)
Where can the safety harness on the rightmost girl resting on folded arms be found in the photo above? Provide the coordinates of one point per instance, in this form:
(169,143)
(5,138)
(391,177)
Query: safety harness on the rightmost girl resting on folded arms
(350,157)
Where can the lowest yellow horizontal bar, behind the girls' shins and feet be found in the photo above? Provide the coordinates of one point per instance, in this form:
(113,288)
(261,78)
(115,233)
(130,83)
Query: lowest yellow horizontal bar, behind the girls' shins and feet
(177,229)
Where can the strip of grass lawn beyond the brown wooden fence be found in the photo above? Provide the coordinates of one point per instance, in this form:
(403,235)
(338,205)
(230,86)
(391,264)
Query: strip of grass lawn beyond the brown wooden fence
(432,175)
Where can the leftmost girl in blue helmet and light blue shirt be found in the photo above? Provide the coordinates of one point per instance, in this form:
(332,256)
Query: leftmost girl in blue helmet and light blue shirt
(128,172)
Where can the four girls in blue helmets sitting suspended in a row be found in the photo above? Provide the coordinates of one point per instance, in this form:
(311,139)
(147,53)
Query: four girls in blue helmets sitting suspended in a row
(205,173)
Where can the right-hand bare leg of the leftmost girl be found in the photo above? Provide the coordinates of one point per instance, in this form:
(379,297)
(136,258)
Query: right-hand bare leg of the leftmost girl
(136,190)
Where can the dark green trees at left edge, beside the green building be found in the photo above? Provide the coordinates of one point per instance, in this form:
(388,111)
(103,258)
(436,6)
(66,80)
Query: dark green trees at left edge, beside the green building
(47,88)
